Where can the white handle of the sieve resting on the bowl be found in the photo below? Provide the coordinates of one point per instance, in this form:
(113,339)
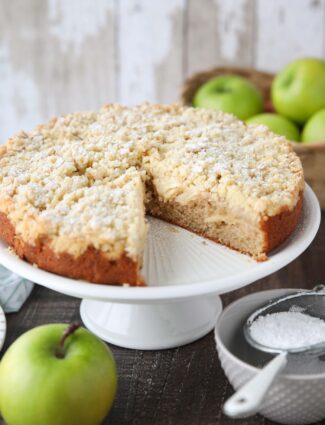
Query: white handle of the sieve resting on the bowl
(248,399)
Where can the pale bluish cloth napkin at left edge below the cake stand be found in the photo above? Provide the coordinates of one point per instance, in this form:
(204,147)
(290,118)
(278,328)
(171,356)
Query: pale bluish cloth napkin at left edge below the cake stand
(14,290)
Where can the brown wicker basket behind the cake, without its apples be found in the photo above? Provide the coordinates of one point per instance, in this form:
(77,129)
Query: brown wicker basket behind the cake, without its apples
(312,156)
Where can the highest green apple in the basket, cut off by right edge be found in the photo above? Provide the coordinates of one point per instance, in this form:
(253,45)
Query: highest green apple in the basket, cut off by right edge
(298,91)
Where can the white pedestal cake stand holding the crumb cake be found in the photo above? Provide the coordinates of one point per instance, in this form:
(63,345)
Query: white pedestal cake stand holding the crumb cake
(185,274)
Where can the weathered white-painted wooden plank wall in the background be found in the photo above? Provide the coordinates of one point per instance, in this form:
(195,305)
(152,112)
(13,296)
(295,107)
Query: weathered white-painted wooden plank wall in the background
(58,56)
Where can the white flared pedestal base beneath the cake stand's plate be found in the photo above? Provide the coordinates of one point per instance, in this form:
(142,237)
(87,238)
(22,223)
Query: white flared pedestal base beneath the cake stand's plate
(153,326)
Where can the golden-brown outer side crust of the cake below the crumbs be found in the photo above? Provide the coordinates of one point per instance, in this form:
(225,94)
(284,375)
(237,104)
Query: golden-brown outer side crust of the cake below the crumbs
(94,267)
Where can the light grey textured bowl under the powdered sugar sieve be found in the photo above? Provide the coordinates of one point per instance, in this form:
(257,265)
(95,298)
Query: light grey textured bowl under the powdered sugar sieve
(292,399)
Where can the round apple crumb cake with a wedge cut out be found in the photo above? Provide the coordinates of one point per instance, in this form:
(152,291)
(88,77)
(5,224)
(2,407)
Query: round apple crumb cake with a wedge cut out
(74,192)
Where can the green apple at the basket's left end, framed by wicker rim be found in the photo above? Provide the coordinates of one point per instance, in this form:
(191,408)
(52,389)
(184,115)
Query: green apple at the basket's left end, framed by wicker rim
(230,93)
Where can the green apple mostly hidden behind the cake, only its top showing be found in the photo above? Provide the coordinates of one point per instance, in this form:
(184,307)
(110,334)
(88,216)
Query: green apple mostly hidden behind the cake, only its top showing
(278,124)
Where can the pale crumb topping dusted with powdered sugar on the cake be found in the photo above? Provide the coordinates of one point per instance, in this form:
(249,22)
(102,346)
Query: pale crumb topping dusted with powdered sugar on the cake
(79,180)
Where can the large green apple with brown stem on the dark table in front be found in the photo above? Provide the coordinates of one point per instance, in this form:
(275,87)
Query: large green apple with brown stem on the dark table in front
(57,375)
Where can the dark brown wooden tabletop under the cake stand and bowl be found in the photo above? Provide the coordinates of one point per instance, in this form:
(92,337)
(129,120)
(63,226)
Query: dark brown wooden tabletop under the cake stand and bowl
(183,386)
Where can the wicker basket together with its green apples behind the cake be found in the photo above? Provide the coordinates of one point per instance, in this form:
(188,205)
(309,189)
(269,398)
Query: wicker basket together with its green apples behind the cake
(291,104)
